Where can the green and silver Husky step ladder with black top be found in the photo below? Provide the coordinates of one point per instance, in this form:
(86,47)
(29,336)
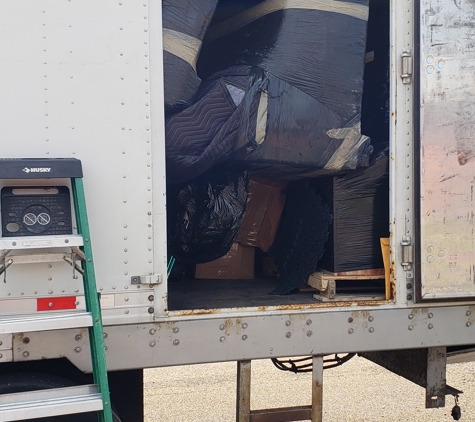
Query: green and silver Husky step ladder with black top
(67,400)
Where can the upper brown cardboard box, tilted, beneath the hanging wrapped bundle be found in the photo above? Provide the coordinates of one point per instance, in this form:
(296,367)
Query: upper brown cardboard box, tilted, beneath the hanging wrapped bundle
(263,211)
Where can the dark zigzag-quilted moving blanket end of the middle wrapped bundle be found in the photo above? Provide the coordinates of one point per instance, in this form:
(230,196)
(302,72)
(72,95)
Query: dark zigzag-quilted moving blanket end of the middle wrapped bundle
(205,133)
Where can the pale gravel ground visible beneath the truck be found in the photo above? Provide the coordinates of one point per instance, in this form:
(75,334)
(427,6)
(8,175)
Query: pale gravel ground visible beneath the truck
(358,391)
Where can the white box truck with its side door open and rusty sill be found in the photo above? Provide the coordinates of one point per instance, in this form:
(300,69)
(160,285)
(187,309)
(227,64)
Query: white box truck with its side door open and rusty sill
(82,107)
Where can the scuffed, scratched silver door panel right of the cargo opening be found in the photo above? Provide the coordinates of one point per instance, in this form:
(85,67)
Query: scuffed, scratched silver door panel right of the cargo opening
(447,68)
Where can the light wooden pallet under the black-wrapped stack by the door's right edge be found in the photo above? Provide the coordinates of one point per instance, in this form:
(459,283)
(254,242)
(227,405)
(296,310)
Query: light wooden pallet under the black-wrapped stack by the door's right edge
(326,284)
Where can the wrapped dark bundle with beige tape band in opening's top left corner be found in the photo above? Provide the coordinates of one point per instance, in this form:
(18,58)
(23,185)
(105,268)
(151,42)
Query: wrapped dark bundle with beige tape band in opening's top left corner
(184,26)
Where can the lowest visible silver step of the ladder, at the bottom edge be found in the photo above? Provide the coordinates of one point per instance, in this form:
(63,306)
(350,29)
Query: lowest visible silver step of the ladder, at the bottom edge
(51,402)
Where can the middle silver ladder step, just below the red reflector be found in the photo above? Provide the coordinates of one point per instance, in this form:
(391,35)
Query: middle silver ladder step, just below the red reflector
(42,322)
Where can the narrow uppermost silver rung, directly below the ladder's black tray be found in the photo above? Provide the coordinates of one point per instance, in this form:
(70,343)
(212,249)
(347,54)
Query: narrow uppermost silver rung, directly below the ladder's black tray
(37,242)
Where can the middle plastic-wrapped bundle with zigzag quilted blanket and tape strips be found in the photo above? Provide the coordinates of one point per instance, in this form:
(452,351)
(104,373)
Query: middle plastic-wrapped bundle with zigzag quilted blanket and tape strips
(248,115)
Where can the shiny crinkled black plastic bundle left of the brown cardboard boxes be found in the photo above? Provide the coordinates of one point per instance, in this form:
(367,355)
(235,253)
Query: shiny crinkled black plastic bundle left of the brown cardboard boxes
(207,214)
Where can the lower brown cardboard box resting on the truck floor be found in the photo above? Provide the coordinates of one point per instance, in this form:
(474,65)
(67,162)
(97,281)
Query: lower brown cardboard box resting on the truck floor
(238,263)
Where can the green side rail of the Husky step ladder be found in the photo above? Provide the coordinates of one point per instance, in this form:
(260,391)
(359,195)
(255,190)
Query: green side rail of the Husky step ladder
(96,334)
